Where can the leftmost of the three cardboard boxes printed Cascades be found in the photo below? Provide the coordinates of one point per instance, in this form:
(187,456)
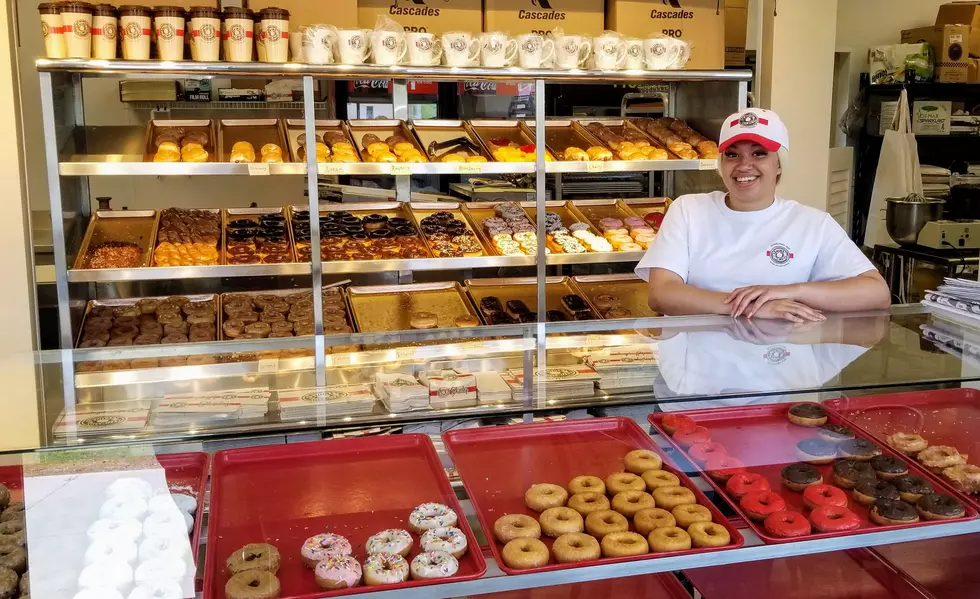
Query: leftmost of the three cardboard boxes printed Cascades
(434,16)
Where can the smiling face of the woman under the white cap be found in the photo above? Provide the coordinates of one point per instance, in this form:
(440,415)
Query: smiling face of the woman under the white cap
(750,172)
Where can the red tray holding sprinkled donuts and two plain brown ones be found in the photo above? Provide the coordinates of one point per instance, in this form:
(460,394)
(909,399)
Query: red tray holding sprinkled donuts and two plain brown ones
(285,494)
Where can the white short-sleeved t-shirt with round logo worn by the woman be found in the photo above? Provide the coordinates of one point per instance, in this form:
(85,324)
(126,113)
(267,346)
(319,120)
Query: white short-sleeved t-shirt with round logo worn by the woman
(715,248)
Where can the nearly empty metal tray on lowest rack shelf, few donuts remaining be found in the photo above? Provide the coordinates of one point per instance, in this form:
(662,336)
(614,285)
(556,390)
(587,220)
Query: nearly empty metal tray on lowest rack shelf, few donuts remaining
(387,308)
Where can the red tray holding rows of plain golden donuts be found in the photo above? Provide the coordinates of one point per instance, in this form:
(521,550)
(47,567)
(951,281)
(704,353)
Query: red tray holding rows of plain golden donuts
(498,464)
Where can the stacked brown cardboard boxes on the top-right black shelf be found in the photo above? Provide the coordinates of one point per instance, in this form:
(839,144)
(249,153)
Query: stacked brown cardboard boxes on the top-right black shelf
(955,38)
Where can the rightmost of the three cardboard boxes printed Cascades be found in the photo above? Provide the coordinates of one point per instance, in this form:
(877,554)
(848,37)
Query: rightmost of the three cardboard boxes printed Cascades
(698,22)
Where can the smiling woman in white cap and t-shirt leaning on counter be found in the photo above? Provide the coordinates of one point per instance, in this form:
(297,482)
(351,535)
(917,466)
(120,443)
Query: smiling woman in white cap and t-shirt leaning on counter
(749,253)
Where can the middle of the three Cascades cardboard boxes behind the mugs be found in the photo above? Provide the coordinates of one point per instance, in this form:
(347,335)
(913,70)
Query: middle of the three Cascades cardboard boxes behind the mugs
(581,17)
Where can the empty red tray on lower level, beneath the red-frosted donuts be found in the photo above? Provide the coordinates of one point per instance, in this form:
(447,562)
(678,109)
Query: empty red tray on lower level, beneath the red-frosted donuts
(856,574)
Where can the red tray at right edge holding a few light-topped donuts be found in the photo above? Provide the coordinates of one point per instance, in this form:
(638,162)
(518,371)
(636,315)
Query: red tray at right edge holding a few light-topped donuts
(944,417)
